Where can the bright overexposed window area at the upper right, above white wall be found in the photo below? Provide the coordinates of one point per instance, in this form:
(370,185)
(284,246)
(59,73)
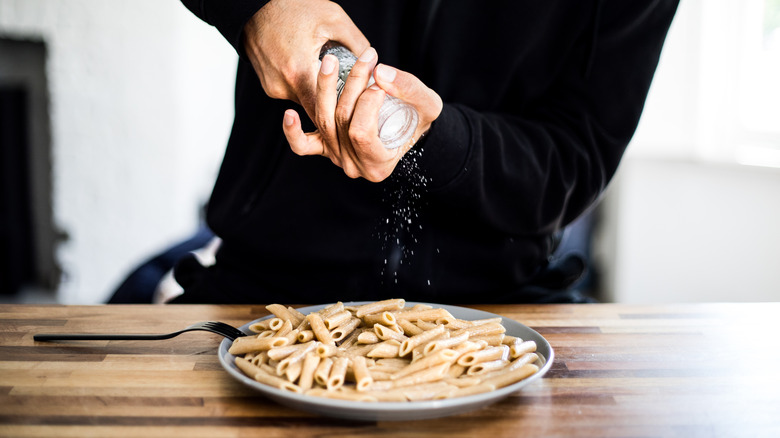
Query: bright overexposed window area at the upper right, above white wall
(716,94)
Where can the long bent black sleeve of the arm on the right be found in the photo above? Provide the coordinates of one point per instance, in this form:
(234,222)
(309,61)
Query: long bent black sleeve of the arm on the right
(533,172)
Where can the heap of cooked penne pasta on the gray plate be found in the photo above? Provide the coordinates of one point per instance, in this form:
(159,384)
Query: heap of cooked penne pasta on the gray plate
(382,351)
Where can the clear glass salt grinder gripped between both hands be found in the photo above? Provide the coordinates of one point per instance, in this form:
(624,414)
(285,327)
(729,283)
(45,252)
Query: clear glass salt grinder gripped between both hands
(397,120)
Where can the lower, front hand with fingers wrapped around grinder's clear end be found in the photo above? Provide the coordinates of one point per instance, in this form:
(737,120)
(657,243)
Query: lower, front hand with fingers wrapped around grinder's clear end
(347,131)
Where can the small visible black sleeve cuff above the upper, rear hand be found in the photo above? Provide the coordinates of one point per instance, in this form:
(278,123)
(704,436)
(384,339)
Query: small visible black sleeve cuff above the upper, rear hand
(228,16)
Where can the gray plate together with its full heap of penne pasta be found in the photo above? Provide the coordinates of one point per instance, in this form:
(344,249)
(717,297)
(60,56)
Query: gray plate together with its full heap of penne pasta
(388,360)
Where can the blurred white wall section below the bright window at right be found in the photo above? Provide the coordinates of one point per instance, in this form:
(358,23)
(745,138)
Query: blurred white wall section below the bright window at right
(693,232)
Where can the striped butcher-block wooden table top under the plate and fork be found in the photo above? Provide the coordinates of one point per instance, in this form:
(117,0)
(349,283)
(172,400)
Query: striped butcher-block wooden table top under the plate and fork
(709,370)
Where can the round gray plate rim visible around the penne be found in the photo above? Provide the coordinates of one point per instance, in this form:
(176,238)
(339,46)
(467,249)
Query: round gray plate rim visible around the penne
(396,411)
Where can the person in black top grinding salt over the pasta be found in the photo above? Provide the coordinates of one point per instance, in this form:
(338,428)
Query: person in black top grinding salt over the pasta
(525,110)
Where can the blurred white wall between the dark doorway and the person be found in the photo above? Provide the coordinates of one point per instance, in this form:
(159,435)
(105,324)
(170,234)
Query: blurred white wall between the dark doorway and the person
(141,107)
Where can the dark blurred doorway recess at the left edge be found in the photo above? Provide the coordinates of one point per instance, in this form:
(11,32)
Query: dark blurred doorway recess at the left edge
(28,236)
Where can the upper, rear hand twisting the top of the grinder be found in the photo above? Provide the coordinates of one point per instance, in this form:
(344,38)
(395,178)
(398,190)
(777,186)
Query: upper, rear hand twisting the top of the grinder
(283,41)
